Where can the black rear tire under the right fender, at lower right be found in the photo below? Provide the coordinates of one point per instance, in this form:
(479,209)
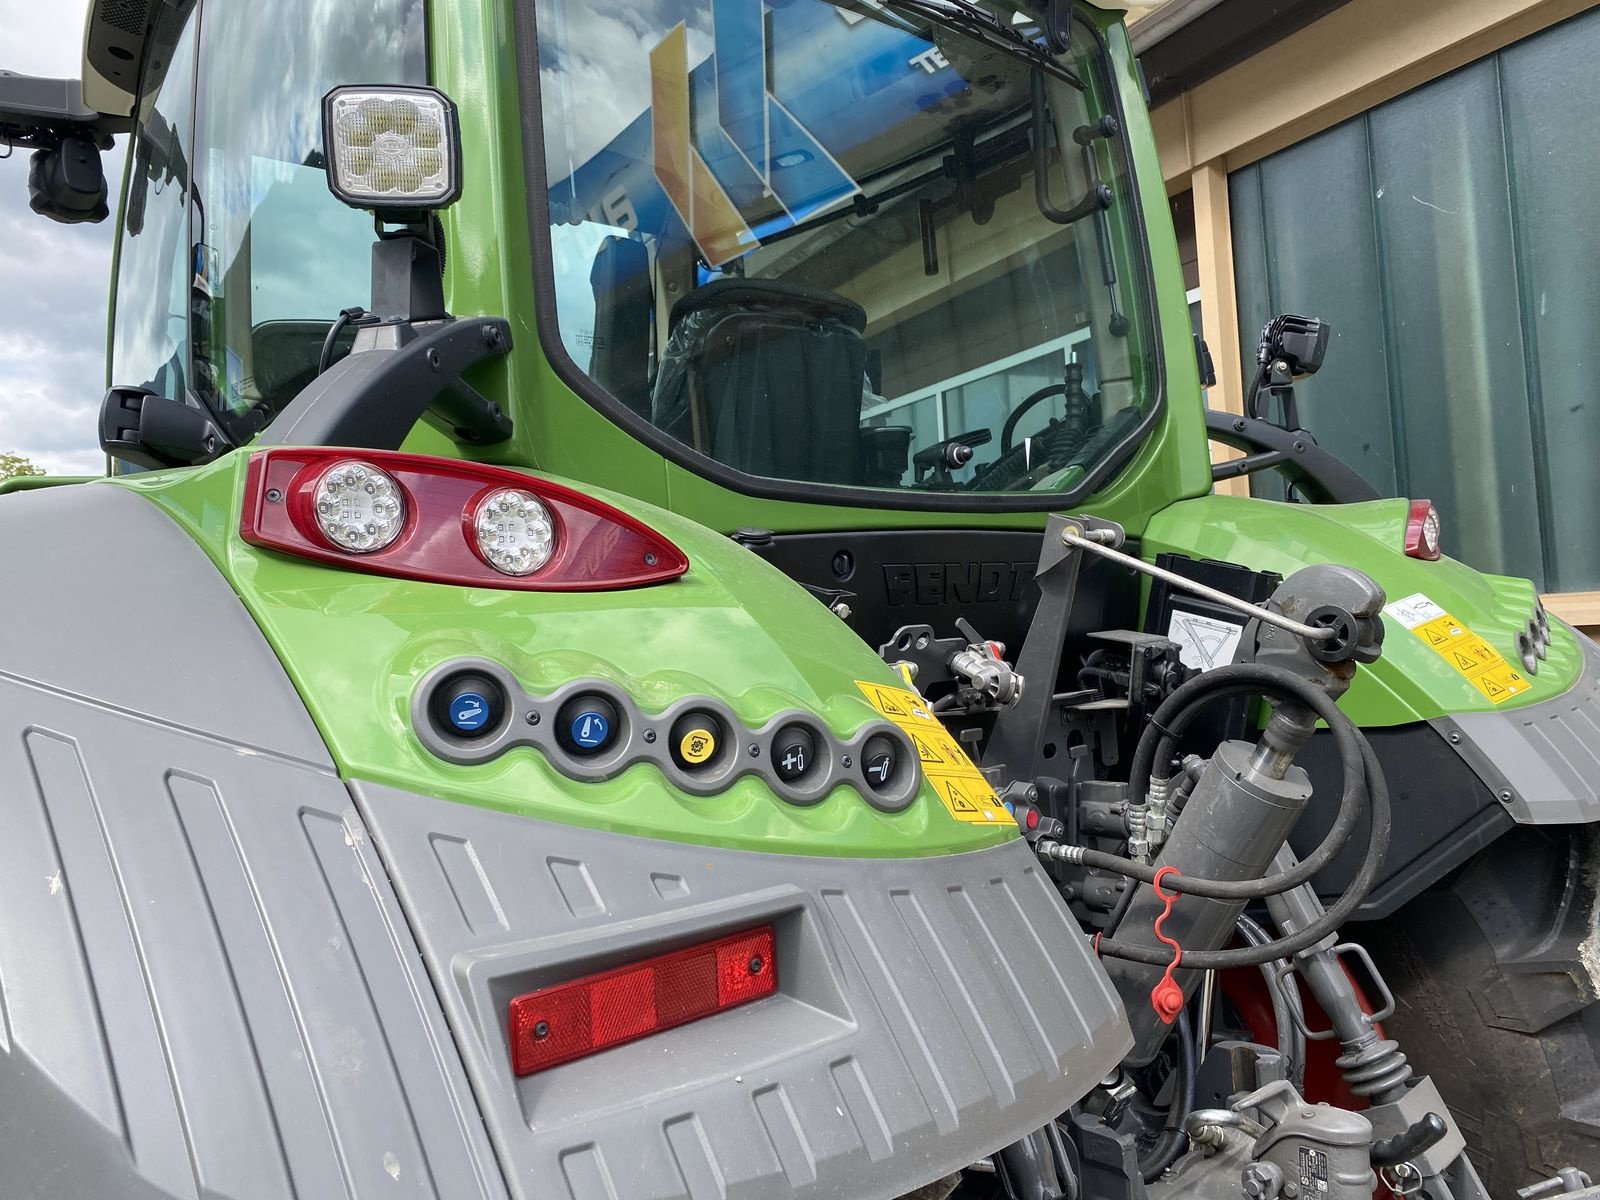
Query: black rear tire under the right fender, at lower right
(1495,1002)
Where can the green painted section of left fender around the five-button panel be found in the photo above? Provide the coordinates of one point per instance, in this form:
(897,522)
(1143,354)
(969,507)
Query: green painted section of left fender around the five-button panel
(356,647)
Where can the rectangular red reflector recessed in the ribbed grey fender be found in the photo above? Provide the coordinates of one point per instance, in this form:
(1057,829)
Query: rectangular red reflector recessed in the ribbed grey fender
(569,1022)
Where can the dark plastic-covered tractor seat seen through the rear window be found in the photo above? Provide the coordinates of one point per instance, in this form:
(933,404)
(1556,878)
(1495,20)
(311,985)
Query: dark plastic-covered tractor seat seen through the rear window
(767,378)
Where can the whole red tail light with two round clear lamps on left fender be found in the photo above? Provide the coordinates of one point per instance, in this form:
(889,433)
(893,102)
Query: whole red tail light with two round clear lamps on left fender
(458,522)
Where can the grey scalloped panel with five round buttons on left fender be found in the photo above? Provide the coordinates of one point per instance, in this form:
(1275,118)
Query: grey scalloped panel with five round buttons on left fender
(590,730)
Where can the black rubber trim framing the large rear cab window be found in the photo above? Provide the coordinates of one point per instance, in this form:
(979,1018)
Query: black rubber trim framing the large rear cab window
(641,430)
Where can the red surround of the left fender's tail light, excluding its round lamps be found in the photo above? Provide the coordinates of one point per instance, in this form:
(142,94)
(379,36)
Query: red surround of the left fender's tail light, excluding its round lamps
(596,546)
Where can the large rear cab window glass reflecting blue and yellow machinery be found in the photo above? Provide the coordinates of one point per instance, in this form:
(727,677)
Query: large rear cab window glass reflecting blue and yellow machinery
(809,239)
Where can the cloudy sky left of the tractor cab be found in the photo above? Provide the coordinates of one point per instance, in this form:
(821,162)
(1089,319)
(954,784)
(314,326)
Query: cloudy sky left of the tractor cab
(54,279)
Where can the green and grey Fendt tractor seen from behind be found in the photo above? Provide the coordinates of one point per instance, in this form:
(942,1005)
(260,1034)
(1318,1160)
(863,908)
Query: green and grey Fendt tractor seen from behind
(662,631)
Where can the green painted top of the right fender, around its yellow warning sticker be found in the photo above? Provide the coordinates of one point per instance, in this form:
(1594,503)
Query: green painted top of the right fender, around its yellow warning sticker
(1410,682)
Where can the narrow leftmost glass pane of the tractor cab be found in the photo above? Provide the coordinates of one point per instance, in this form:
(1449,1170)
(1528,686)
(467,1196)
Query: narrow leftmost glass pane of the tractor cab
(156,258)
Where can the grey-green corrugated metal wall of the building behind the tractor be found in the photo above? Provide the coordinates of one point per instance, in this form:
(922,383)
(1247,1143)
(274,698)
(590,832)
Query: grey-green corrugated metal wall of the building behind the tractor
(1454,239)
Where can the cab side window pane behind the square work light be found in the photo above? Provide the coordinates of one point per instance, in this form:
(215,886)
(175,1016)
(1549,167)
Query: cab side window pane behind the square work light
(279,255)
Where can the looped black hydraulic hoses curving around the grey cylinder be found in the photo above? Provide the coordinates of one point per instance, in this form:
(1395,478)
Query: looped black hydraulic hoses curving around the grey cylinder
(1364,788)
